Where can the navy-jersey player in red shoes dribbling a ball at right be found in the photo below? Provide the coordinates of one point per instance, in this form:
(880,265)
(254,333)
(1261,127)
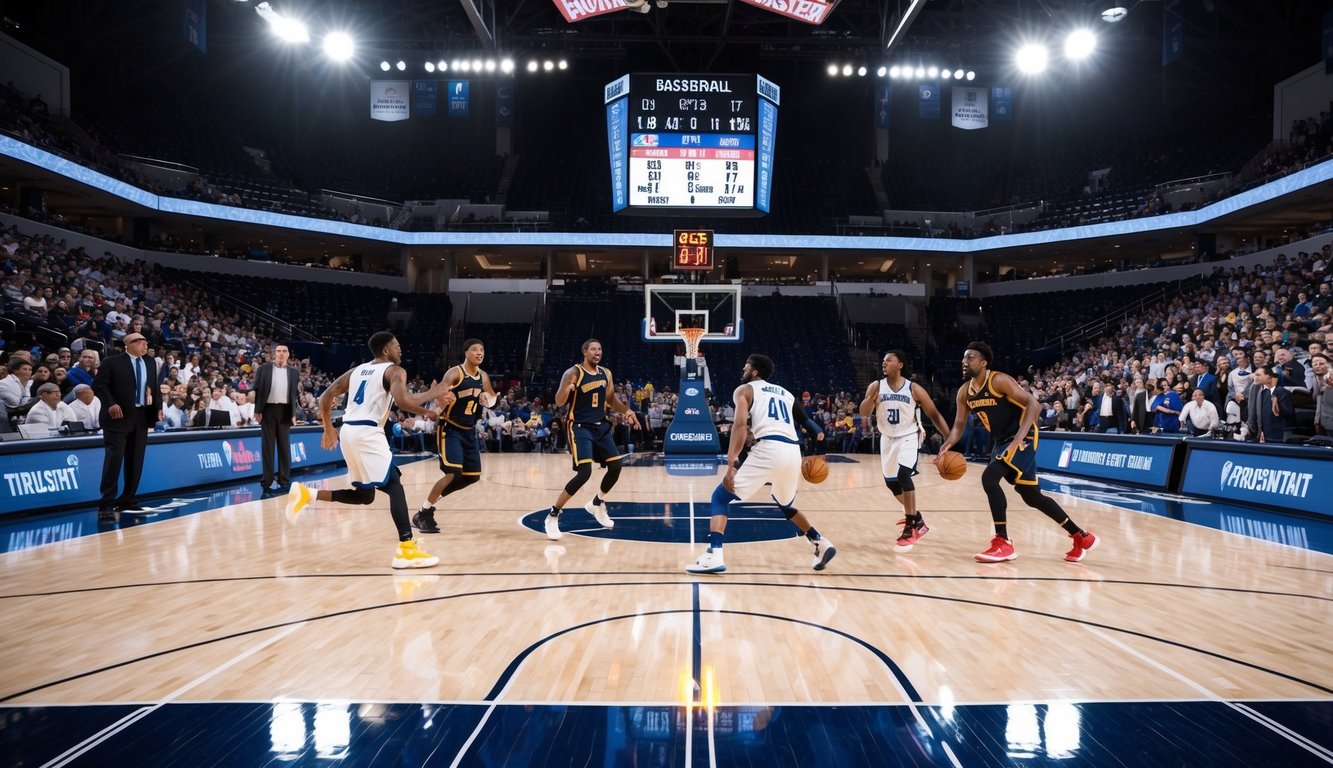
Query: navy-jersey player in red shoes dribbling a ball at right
(1010,413)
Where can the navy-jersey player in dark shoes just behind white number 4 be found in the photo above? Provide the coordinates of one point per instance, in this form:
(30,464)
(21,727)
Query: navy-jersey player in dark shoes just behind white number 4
(457,437)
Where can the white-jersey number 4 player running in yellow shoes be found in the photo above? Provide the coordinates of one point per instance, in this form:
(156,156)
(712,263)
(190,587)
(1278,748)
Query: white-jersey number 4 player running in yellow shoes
(374,387)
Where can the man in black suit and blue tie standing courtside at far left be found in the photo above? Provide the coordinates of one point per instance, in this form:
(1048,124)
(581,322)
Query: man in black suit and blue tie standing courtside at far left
(127,387)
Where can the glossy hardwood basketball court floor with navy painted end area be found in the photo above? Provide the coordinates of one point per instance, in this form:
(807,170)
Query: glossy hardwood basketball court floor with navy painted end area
(237,607)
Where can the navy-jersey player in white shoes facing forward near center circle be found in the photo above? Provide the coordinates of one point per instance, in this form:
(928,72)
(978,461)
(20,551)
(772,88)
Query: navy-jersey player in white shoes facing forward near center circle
(590,390)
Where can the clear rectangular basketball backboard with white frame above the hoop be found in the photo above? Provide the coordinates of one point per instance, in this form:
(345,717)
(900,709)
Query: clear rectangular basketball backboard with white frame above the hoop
(715,309)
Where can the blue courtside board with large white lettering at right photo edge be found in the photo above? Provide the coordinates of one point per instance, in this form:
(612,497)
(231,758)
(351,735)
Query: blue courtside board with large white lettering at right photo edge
(1279,477)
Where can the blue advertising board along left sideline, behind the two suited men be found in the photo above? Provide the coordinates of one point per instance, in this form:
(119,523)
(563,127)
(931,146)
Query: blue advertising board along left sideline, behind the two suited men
(61,473)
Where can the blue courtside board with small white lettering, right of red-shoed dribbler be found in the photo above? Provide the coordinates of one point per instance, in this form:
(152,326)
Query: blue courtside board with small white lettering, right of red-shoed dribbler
(1139,461)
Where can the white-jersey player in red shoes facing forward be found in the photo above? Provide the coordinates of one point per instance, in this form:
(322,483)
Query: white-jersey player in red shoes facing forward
(894,403)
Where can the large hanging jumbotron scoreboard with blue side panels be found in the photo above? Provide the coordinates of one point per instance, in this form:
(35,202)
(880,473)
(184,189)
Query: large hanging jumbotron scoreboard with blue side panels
(692,143)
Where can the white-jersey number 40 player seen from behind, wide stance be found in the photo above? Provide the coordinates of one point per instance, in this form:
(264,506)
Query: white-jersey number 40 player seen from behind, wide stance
(772,414)
